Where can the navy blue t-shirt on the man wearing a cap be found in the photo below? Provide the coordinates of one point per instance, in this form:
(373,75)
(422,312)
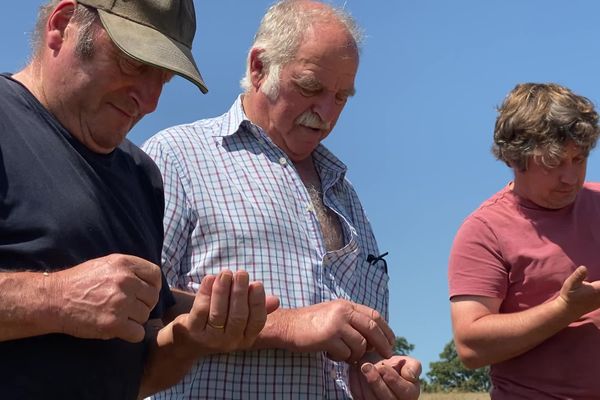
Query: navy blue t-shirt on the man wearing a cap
(61,205)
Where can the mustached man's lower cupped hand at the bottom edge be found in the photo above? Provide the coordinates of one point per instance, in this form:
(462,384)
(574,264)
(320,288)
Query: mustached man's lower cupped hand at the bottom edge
(395,378)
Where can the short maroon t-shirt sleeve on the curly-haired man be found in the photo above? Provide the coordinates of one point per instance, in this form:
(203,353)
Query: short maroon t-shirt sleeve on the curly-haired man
(476,266)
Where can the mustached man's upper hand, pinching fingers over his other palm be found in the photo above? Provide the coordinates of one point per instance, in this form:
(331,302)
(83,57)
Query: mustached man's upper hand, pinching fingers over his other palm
(341,328)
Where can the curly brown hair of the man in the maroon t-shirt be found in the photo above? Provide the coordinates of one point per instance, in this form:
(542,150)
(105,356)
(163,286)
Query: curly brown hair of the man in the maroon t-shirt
(539,120)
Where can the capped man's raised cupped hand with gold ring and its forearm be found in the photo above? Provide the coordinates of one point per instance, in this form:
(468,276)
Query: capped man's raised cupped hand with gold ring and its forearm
(225,315)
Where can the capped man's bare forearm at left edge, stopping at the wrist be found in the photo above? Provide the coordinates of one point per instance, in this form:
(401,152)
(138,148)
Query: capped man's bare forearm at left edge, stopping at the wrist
(27,306)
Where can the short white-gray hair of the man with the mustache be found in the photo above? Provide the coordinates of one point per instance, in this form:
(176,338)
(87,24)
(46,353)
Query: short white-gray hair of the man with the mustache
(281,32)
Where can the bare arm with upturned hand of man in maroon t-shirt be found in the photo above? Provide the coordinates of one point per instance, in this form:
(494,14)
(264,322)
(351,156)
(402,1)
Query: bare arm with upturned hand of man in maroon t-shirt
(483,336)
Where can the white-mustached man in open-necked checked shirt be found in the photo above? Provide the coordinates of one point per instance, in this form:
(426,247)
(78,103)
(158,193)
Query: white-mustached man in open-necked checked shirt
(255,189)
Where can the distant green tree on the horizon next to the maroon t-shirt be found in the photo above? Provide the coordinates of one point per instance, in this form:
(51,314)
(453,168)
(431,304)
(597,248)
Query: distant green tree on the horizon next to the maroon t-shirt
(450,375)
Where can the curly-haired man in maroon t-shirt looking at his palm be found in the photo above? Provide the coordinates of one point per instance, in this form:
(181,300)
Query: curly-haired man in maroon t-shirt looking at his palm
(524,270)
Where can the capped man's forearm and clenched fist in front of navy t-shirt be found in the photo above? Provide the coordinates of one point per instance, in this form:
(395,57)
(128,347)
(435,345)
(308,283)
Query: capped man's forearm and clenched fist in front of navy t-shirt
(104,298)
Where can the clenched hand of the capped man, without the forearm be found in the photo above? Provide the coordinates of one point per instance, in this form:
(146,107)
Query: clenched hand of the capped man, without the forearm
(105,298)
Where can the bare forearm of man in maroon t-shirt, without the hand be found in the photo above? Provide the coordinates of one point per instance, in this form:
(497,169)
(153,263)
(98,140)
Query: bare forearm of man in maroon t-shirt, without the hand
(493,338)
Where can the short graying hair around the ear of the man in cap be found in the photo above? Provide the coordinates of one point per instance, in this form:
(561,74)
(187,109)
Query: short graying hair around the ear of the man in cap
(85,17)
